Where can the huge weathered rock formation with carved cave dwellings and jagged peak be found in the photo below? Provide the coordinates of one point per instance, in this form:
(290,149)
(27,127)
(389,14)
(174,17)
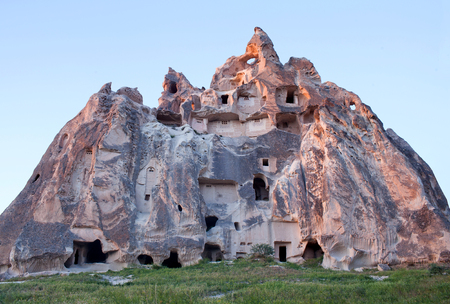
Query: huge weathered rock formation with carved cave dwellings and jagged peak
(267,154)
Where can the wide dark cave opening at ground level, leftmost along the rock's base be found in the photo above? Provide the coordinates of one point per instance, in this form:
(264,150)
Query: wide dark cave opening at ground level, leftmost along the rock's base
(86,253)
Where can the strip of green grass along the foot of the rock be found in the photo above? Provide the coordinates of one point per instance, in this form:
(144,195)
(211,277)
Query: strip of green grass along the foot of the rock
(242,281)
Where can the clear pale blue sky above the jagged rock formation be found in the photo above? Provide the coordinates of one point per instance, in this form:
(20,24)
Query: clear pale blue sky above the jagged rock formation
(54,55)
